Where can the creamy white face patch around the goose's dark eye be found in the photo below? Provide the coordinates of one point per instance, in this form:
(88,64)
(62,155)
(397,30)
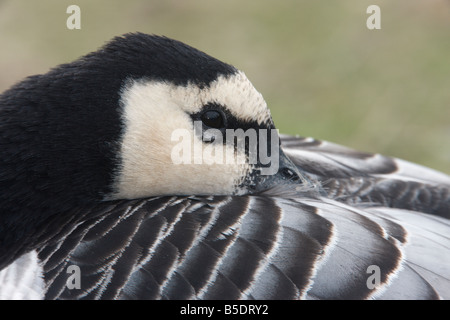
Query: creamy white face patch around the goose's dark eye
(153,111)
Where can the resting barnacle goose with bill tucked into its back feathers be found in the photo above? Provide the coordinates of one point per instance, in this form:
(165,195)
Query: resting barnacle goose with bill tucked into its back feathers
(87,180)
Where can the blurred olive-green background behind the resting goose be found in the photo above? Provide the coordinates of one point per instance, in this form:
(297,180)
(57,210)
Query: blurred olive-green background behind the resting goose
(322,72)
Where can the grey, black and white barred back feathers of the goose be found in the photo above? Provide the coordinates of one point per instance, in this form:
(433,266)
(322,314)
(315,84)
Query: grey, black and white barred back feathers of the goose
(376,211)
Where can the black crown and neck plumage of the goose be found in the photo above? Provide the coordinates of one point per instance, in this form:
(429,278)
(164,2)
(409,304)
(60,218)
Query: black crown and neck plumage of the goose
(60,132)
